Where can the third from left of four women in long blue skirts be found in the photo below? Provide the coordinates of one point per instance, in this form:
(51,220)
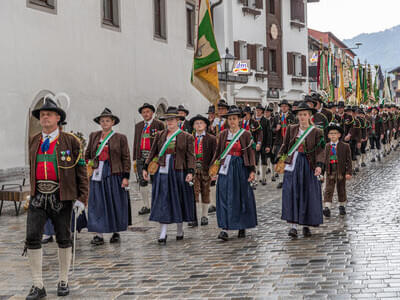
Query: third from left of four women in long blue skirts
(236,206)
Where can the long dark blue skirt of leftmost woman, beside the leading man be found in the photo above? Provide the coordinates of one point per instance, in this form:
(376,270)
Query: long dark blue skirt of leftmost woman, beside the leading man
(108,203)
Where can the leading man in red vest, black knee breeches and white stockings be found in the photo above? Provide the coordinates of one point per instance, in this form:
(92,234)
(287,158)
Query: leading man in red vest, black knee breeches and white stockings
(59,184)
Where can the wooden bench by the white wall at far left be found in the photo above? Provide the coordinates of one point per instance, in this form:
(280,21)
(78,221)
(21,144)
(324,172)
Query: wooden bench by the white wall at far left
(15,192)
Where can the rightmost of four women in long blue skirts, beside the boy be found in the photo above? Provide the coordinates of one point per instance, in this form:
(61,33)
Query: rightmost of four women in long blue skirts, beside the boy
(303,153)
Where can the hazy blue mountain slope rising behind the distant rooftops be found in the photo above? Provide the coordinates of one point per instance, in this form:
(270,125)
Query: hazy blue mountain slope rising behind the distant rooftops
(381,47)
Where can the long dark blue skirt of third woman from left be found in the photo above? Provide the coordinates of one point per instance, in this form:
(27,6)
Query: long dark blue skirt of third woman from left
(236,206)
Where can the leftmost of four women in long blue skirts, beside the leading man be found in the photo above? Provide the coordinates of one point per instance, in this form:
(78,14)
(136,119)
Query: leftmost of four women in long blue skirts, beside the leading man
(108,153)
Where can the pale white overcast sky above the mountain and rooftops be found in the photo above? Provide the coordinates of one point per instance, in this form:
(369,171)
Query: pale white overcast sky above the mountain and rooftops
(348,18)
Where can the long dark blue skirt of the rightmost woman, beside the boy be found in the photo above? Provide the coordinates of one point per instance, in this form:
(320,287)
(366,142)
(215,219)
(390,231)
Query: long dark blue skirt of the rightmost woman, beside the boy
(301,195)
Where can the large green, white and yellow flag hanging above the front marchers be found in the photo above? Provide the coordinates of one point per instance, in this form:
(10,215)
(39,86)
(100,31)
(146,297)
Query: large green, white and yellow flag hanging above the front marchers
(206,56)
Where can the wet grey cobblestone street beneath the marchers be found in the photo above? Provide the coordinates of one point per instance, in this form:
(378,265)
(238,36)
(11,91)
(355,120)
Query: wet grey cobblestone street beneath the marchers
(357,256)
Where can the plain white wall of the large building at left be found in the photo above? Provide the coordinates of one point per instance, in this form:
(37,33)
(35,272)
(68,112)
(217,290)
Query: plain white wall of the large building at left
(71,52)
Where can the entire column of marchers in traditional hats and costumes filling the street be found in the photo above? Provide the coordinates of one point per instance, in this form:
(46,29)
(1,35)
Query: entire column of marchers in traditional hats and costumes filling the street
(193,167)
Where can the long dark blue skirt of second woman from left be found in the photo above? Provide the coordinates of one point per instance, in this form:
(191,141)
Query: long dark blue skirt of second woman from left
(172,197)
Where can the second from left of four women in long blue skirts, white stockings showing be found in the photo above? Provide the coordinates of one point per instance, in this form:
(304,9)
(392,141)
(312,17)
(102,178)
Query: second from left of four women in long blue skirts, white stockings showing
(172,192)
